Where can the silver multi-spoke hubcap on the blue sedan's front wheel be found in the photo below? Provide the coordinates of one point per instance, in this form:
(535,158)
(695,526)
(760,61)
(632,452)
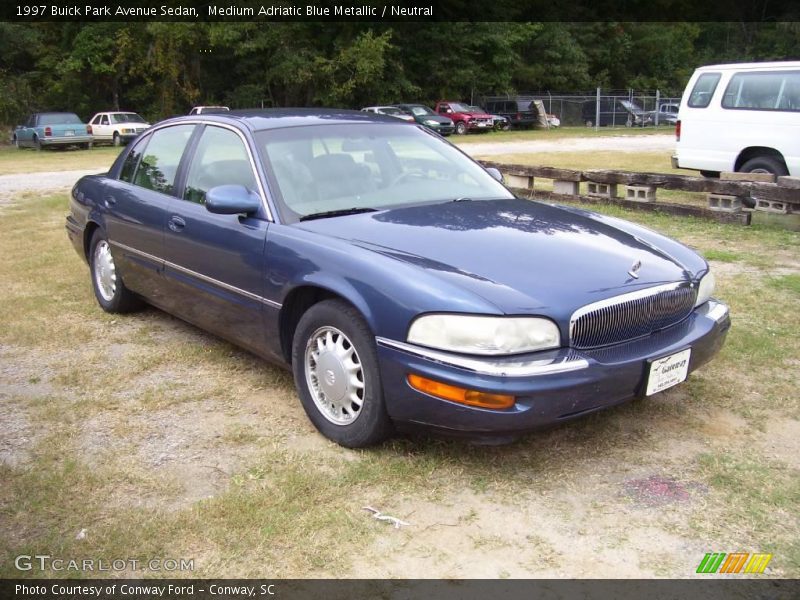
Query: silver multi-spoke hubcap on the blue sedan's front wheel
(334,375)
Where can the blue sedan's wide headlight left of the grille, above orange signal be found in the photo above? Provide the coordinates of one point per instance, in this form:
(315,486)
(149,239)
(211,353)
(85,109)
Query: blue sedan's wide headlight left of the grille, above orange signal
(485,335)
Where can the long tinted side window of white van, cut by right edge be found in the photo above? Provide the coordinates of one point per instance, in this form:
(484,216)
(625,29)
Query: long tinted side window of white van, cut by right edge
(764,91)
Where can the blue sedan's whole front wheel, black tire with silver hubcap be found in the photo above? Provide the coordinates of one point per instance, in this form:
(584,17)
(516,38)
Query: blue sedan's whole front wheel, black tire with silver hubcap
(349,425)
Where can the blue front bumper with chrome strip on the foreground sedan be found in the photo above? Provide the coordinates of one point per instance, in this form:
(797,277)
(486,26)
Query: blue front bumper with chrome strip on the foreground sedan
(550,387)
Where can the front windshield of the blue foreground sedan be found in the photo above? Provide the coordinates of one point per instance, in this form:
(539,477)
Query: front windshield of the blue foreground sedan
(326,168)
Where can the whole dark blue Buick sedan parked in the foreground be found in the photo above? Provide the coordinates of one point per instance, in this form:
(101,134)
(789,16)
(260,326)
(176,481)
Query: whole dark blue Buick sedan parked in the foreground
(399,279)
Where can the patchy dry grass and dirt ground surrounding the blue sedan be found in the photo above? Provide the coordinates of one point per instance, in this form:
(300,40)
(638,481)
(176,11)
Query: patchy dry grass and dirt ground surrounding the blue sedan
(162,441)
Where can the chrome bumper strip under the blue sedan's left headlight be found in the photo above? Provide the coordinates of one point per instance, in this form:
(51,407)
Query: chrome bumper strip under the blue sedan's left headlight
(504,368)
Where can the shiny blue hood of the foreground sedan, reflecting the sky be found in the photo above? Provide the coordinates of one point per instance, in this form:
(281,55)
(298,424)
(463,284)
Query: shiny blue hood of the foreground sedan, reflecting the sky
(522,256)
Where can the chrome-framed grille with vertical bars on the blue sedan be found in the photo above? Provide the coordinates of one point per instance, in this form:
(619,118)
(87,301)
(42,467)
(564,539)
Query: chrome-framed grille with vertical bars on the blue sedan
(631,316)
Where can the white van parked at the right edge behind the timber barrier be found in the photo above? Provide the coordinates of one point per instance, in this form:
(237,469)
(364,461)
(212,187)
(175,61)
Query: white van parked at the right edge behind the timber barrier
(741,117)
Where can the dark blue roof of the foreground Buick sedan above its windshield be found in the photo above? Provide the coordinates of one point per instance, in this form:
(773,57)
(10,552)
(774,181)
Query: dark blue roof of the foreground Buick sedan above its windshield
(278,118)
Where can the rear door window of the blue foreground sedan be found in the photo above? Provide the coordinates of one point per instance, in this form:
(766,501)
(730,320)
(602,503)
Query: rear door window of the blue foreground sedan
(159,164)
